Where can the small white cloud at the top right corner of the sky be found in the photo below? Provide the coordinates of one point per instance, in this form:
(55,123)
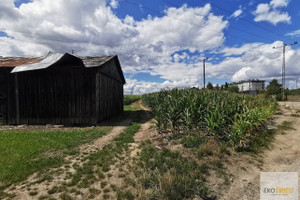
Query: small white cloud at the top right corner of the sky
(271,12)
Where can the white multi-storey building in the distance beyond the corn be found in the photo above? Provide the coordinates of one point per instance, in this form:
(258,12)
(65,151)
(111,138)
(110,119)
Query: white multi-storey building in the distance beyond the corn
(251,86)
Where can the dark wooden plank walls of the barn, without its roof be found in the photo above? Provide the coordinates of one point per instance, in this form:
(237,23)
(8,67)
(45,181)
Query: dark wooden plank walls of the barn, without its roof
(63,95)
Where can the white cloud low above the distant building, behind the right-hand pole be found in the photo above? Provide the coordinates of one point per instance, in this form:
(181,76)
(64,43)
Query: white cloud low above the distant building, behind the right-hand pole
(264,62)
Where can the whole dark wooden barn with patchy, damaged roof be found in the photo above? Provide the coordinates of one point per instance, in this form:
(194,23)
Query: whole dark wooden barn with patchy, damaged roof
(60,89)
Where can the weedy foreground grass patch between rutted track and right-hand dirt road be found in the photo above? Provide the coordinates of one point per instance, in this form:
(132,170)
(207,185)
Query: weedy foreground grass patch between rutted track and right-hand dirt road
(168,175)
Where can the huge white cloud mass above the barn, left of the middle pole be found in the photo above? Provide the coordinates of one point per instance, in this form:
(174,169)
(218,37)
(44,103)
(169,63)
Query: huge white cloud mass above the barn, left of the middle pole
(153,45)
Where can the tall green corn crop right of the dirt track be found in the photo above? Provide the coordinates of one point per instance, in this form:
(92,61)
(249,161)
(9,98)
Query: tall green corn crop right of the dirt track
(224,115)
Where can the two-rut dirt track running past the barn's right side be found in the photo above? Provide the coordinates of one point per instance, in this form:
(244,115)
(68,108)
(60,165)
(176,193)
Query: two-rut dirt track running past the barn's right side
(58,177)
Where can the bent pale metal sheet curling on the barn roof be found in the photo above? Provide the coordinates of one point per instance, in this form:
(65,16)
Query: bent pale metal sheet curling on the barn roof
(44,63)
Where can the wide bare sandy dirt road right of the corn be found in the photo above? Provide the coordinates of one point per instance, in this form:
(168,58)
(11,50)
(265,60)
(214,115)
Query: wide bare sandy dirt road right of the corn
(283,156)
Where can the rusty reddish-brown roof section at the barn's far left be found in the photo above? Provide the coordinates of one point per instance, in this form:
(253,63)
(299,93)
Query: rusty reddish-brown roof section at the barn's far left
(16,61)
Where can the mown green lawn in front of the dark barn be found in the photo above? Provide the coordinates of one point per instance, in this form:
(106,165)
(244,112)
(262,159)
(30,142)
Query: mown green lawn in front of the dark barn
(24,152)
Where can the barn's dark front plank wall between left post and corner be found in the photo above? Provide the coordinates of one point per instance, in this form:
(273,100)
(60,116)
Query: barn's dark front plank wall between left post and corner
(57,96)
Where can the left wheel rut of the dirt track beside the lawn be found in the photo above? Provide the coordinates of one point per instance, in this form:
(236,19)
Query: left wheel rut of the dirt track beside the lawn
(59,175)
